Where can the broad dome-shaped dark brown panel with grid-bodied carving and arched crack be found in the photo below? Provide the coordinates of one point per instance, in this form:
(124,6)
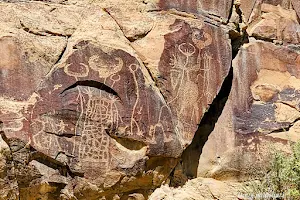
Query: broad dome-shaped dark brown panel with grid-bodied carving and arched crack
(97,95)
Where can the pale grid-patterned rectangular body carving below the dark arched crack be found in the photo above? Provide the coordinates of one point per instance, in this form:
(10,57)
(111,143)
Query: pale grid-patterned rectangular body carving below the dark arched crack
(101,113)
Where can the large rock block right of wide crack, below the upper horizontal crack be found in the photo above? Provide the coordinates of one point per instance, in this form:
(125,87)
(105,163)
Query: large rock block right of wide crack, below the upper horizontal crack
(260,115)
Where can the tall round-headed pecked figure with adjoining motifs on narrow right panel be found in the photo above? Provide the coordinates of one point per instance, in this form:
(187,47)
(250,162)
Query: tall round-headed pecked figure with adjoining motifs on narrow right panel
(185,87)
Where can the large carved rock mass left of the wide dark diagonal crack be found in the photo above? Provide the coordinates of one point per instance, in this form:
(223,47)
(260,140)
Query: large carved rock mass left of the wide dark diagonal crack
(94,107)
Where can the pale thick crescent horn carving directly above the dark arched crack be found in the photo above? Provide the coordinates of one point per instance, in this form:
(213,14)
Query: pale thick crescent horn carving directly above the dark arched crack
(105,70)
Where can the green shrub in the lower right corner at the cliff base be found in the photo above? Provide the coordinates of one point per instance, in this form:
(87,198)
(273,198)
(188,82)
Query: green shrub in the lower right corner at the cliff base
(282,180)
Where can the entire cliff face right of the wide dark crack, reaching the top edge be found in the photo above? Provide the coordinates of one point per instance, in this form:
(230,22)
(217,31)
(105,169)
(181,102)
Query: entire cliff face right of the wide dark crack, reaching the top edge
(262,111)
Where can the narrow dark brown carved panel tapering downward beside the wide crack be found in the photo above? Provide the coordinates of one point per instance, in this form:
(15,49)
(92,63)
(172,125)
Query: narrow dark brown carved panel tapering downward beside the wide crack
(191,73)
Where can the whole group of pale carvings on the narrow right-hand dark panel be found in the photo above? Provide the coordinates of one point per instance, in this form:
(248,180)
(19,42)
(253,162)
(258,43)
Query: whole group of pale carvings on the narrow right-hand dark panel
(190,81)
